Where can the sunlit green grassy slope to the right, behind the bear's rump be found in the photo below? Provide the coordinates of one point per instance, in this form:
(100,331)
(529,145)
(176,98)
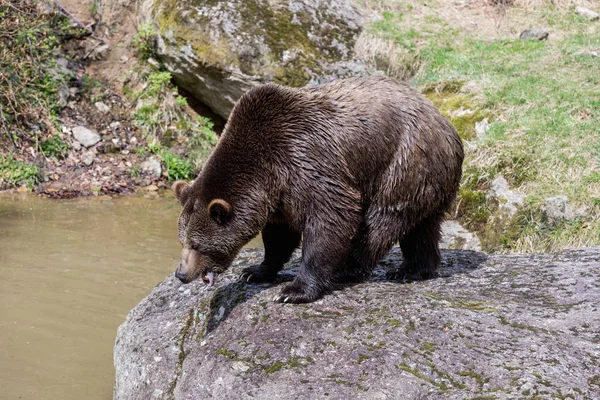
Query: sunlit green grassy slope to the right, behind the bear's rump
(543,105)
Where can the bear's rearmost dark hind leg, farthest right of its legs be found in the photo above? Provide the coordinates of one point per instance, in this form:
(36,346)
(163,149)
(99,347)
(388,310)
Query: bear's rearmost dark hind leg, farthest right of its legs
(420,250)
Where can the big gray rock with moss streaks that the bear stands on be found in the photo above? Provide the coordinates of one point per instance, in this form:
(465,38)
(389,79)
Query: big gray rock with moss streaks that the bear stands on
(498,326)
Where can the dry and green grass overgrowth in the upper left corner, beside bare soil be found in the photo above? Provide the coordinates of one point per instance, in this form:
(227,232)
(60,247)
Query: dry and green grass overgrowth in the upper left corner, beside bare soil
(29,77)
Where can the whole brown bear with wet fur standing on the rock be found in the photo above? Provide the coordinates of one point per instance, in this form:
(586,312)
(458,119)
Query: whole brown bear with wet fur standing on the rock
(350,167)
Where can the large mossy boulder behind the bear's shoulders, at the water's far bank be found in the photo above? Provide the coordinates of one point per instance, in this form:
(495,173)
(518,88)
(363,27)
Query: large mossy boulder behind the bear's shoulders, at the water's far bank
(217,50)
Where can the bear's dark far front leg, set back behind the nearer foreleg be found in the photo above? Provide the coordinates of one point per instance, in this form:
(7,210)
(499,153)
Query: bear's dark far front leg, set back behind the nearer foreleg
(280,241)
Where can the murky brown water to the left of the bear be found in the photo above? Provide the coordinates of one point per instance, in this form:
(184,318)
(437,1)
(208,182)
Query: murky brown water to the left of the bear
(69,272)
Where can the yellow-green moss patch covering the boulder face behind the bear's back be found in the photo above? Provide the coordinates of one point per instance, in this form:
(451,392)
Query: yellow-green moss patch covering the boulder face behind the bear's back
(284,32)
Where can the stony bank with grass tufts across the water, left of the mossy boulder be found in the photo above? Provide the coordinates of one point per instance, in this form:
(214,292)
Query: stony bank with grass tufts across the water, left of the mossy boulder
(45,89)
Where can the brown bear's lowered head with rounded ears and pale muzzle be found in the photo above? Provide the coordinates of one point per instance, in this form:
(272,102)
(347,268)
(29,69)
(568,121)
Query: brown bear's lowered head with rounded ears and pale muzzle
(209,233)
